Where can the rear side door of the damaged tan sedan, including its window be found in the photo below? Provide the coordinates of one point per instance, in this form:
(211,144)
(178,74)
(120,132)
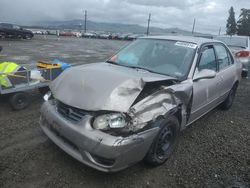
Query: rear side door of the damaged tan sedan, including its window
(227,70)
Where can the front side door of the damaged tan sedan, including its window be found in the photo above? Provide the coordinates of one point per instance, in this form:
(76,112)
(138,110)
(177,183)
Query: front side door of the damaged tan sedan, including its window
(205,91)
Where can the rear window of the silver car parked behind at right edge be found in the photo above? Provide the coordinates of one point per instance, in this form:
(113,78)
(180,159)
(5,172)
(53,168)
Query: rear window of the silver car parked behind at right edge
(233,41)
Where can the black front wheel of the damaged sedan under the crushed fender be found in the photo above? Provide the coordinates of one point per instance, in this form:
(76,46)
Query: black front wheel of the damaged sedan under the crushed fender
(165,142)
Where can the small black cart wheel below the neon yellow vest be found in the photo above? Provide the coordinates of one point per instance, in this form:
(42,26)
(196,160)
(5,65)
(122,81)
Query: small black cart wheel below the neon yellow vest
(19,101)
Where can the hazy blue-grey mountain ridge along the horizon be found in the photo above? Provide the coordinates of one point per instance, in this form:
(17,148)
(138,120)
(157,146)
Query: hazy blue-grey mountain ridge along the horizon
(107,27)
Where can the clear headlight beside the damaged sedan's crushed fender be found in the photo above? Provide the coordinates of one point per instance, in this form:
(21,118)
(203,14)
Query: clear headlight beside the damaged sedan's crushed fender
(107,121)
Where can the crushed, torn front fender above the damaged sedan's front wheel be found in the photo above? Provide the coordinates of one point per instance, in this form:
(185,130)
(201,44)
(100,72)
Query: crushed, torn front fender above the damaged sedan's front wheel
(160,103)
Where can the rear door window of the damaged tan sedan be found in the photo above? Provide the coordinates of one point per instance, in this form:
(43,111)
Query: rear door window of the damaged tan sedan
(222,56)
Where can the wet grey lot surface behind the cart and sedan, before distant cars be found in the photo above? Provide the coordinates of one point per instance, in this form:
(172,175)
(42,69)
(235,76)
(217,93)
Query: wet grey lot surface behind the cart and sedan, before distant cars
(67,49)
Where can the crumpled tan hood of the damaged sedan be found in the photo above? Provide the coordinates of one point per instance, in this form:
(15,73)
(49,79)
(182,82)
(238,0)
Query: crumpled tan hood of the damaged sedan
(101,86)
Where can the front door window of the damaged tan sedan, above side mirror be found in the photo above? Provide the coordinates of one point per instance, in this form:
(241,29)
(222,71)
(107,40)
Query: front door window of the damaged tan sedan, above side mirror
(207,60)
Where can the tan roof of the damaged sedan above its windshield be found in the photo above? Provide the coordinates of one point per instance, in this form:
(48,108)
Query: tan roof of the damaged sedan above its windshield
(197,40)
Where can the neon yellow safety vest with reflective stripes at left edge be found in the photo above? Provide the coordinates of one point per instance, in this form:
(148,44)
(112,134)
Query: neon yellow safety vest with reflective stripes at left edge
(8,68)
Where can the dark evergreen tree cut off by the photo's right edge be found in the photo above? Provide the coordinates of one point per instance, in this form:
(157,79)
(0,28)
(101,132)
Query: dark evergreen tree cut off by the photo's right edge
(243,24)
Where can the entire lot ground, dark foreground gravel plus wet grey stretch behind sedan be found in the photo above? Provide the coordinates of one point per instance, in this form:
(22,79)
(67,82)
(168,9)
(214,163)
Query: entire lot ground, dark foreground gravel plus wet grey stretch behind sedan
(213,152)
